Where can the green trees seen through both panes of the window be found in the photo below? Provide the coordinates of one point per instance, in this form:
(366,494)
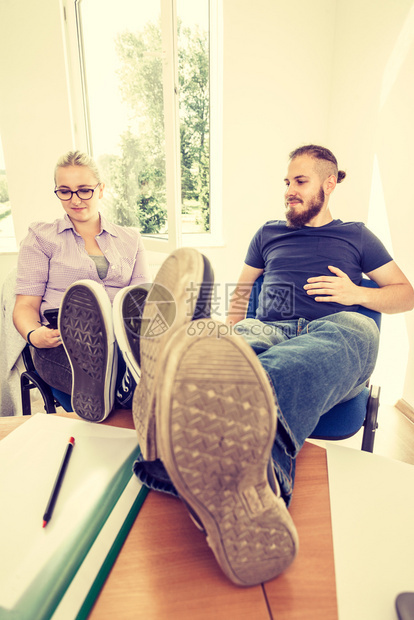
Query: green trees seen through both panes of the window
(138,175)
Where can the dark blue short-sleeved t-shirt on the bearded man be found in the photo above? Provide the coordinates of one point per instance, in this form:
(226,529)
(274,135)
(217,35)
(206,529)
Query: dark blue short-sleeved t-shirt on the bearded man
(290,256)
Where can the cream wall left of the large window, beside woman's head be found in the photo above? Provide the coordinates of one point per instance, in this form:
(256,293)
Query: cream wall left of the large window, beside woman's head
(35,123)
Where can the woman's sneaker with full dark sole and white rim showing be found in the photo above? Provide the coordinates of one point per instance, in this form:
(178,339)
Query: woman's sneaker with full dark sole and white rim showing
(85,325)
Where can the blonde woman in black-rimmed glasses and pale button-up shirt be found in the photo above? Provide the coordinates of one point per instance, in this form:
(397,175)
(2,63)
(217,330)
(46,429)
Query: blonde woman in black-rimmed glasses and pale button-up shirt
(82,245)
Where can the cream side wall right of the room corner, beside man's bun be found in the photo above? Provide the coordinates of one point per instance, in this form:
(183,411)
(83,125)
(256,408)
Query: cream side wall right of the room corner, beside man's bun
(372,132)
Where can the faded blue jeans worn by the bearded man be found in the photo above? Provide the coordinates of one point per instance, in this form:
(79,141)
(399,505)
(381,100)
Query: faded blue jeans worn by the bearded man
(312,366)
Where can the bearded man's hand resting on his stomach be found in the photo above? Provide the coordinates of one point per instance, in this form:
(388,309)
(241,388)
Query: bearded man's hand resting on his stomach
(338,288)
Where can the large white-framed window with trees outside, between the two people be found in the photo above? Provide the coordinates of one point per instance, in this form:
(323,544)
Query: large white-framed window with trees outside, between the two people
(146,82)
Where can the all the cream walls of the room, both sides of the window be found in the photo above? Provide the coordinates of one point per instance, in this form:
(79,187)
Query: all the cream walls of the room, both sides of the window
(335,72)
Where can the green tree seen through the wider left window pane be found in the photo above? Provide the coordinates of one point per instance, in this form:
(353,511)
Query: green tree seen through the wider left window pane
(140,76)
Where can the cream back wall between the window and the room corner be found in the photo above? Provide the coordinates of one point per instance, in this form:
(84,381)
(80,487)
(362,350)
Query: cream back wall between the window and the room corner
(277,79)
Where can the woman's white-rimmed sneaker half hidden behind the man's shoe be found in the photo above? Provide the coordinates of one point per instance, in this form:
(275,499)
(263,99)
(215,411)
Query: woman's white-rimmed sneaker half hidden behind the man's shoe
(127,312)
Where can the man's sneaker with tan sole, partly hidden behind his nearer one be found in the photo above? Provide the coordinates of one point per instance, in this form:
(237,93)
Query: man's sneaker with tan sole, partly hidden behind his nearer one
(181,292)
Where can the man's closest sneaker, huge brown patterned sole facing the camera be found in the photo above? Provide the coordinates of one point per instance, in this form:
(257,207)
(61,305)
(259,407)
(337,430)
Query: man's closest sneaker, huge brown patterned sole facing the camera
(216,423)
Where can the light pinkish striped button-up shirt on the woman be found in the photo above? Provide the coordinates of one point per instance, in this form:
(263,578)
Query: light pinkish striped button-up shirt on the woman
(53,256)
